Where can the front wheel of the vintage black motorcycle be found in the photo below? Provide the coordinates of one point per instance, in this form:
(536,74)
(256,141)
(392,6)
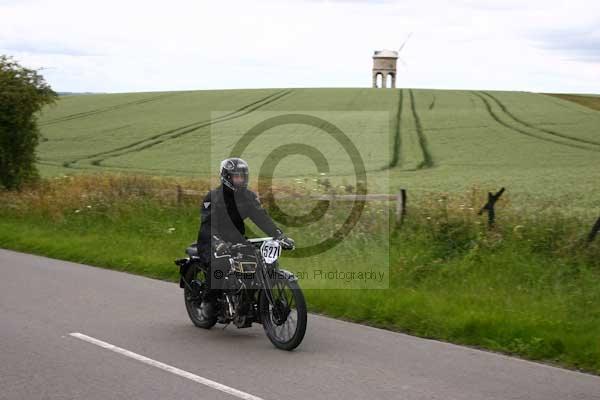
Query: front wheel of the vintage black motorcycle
(284,321)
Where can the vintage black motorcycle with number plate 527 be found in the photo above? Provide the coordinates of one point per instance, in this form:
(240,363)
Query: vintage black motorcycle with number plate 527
(255,290)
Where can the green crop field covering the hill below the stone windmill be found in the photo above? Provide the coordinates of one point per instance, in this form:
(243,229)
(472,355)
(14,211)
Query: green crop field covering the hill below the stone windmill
(538,146)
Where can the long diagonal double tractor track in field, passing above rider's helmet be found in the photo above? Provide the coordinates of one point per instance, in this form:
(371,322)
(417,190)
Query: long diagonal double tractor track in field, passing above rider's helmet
(179,131)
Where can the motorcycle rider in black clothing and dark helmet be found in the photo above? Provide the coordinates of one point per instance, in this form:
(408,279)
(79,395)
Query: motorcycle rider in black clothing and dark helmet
(223,211)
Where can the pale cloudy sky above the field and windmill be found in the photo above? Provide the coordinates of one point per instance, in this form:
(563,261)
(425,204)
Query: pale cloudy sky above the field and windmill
(139,46)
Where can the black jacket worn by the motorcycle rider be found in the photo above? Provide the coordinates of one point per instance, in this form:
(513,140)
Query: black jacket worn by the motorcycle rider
(223,212)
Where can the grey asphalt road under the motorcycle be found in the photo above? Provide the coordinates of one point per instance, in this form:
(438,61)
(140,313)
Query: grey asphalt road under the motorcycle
(161,355)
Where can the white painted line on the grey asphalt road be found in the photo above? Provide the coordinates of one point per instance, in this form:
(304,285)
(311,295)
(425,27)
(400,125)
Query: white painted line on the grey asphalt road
(166,367)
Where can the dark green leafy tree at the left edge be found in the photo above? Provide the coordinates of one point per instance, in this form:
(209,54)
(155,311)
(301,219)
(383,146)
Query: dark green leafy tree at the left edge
(23,92)
